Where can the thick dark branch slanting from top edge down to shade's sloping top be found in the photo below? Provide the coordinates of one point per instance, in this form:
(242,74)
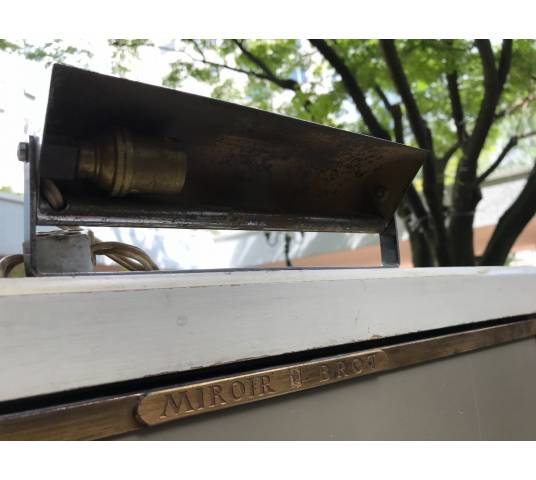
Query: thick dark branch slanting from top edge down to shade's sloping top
(352,86)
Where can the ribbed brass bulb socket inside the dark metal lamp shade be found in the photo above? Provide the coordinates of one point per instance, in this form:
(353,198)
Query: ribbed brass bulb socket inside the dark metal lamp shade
(123,163)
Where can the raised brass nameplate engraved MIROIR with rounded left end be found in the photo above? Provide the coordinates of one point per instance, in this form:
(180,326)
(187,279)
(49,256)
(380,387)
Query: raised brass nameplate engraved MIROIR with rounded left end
(202,397)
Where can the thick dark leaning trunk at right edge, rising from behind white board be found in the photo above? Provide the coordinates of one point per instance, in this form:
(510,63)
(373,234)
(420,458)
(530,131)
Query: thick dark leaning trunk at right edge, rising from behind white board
(512,223)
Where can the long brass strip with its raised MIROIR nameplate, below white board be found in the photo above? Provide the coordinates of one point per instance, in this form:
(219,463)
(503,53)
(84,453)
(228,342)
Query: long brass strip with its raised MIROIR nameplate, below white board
(102,418)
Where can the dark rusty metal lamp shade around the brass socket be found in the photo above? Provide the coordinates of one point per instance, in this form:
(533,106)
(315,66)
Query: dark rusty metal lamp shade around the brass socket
(247,169)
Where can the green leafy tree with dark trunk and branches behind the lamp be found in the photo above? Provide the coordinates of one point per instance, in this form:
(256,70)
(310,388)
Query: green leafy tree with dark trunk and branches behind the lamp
(470,103)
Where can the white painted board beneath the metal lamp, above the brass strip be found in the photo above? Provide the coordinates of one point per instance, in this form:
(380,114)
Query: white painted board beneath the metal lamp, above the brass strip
(63,333)
